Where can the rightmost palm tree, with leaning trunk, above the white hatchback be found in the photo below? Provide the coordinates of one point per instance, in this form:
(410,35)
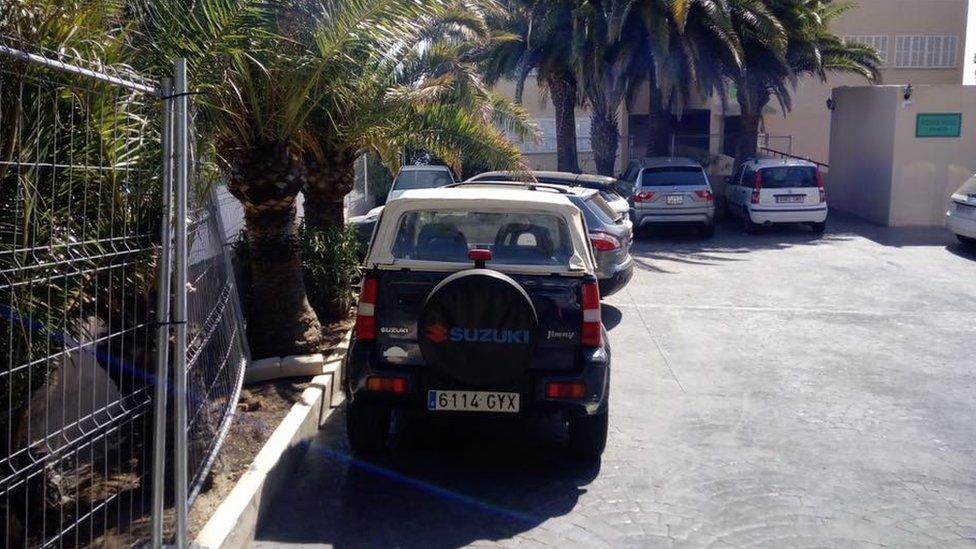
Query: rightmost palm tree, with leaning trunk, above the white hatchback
(770,69)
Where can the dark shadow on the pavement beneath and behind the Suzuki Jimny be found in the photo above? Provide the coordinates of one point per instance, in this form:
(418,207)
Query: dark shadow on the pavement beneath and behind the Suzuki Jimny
(447,484)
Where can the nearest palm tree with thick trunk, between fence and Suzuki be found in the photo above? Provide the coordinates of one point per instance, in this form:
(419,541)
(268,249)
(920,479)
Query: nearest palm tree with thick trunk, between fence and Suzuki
(258,90)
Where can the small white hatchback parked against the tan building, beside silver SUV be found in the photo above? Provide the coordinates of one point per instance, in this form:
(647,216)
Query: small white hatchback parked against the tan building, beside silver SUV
(768,191)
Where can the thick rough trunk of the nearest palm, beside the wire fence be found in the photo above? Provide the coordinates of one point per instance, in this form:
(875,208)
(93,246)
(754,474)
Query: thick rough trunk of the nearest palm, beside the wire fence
(266,179)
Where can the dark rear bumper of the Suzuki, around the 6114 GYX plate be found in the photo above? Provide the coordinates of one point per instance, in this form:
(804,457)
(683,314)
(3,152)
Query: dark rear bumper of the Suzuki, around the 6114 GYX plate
(595,373)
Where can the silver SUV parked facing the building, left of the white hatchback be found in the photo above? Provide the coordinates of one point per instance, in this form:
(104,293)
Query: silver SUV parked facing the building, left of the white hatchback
(673,190)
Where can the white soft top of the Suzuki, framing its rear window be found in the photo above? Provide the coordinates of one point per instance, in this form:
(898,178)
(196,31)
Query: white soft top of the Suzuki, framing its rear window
(481,199)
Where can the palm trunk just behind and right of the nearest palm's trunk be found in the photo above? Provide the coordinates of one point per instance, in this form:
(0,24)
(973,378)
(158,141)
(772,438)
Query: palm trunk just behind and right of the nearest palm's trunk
(328,181)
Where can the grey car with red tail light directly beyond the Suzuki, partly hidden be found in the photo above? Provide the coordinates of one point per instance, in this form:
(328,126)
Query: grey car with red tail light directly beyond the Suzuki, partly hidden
(611,233)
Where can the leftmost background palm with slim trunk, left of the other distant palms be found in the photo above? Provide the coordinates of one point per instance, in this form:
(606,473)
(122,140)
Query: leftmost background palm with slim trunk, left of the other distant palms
(538,37)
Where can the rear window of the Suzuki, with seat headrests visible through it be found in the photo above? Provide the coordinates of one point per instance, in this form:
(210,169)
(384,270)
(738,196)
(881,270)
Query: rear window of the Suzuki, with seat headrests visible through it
(513,238)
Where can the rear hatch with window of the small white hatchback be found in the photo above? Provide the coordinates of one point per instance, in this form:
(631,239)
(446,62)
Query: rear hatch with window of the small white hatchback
(787,188)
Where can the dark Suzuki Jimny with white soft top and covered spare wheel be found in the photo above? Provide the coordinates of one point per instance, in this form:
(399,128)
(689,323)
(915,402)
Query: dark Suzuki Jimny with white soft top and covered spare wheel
(479,301)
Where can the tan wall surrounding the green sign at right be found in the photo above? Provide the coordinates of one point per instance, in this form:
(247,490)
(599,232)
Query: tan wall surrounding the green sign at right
(880,171)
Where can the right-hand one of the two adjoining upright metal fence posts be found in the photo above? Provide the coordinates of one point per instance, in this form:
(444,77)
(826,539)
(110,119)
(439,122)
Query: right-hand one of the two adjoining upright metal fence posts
(181,169)
